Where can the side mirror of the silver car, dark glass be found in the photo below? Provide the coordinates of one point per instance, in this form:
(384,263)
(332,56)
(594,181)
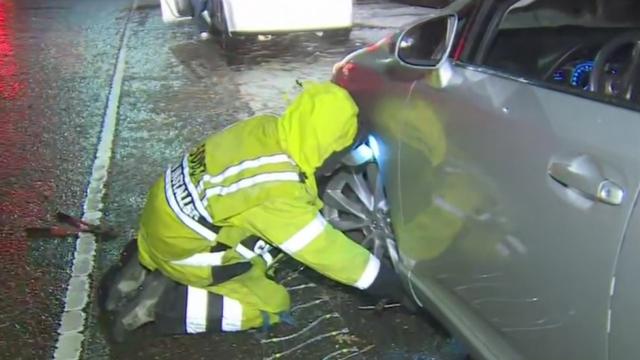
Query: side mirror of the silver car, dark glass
(427,44)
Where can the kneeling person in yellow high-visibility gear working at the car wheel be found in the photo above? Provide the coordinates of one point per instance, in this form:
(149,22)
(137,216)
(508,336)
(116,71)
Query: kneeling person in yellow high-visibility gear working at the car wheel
(213,223)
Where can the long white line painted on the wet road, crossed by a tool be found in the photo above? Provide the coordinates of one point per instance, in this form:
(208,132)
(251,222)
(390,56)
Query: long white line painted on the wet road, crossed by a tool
(71,331)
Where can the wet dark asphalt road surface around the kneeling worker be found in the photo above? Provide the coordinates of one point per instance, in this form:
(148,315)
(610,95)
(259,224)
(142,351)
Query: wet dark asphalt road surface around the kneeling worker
(57,63)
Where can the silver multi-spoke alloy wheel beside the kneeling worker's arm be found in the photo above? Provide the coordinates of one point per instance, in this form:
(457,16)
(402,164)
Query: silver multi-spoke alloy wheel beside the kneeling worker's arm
(355,203)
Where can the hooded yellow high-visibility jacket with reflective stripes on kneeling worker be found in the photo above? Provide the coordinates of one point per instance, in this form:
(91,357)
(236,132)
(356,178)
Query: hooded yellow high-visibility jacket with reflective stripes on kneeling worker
(256,178)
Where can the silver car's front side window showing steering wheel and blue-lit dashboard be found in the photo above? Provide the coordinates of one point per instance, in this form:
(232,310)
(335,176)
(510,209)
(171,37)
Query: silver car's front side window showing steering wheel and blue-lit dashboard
(556,43)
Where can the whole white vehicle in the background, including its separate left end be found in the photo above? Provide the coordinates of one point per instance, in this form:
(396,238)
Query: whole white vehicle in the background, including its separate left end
(236,19)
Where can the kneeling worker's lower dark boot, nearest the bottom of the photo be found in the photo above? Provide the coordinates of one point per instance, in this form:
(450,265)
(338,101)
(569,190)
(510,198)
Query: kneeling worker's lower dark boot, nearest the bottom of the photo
(141,309)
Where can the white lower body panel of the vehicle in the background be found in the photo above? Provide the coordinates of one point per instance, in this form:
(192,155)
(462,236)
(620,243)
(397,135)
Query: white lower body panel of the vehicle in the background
(274,16)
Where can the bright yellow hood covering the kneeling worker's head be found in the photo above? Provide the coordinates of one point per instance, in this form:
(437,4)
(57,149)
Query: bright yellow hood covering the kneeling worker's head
(323,119)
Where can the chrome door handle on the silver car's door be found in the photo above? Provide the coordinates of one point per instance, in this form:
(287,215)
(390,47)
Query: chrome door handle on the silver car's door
(583,174)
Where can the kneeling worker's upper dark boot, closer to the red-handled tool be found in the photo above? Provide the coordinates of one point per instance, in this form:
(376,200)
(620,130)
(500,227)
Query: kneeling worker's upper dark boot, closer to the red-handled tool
(126,280)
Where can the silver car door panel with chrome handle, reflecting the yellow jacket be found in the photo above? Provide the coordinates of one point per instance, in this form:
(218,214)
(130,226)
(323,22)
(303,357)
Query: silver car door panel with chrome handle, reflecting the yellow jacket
(502,225)
